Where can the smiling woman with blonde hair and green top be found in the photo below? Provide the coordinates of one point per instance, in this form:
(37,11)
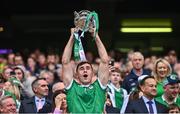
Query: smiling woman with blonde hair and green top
(161,70)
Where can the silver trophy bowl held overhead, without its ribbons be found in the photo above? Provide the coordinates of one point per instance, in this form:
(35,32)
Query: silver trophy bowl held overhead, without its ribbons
(80,20)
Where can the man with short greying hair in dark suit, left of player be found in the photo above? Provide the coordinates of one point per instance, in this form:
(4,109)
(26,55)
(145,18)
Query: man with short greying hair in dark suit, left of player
(38,103)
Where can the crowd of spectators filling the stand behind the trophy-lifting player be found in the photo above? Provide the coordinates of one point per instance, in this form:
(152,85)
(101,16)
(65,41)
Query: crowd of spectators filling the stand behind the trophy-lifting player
(39,75)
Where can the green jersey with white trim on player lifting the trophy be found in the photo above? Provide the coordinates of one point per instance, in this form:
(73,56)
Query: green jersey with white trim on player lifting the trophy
(86,99)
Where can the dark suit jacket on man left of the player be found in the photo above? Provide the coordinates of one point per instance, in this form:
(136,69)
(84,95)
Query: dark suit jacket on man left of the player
(29,106)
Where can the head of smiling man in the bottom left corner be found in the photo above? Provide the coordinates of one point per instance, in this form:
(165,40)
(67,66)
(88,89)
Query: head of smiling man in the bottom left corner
(8,105)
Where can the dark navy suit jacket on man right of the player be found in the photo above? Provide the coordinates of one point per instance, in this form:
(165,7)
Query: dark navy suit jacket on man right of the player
(138,106)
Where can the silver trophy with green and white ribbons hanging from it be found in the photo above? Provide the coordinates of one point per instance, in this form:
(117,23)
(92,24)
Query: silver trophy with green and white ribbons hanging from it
(84,21)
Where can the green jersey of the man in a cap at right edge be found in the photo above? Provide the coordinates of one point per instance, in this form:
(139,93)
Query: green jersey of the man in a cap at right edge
(162,100)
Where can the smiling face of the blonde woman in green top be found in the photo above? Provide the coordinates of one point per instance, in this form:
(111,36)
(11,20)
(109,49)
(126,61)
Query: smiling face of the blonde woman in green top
(162,69)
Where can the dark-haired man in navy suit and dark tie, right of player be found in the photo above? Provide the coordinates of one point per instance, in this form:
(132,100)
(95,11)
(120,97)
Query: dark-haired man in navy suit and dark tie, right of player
(148,87)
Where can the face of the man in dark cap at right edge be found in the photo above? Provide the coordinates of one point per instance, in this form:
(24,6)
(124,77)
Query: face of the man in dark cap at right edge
(171,90)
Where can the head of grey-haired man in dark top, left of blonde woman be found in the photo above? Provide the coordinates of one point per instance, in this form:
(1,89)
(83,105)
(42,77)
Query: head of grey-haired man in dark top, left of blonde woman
(137,60)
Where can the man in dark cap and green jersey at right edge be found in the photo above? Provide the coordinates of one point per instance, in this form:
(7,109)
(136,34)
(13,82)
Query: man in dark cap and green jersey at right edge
(171,88)
